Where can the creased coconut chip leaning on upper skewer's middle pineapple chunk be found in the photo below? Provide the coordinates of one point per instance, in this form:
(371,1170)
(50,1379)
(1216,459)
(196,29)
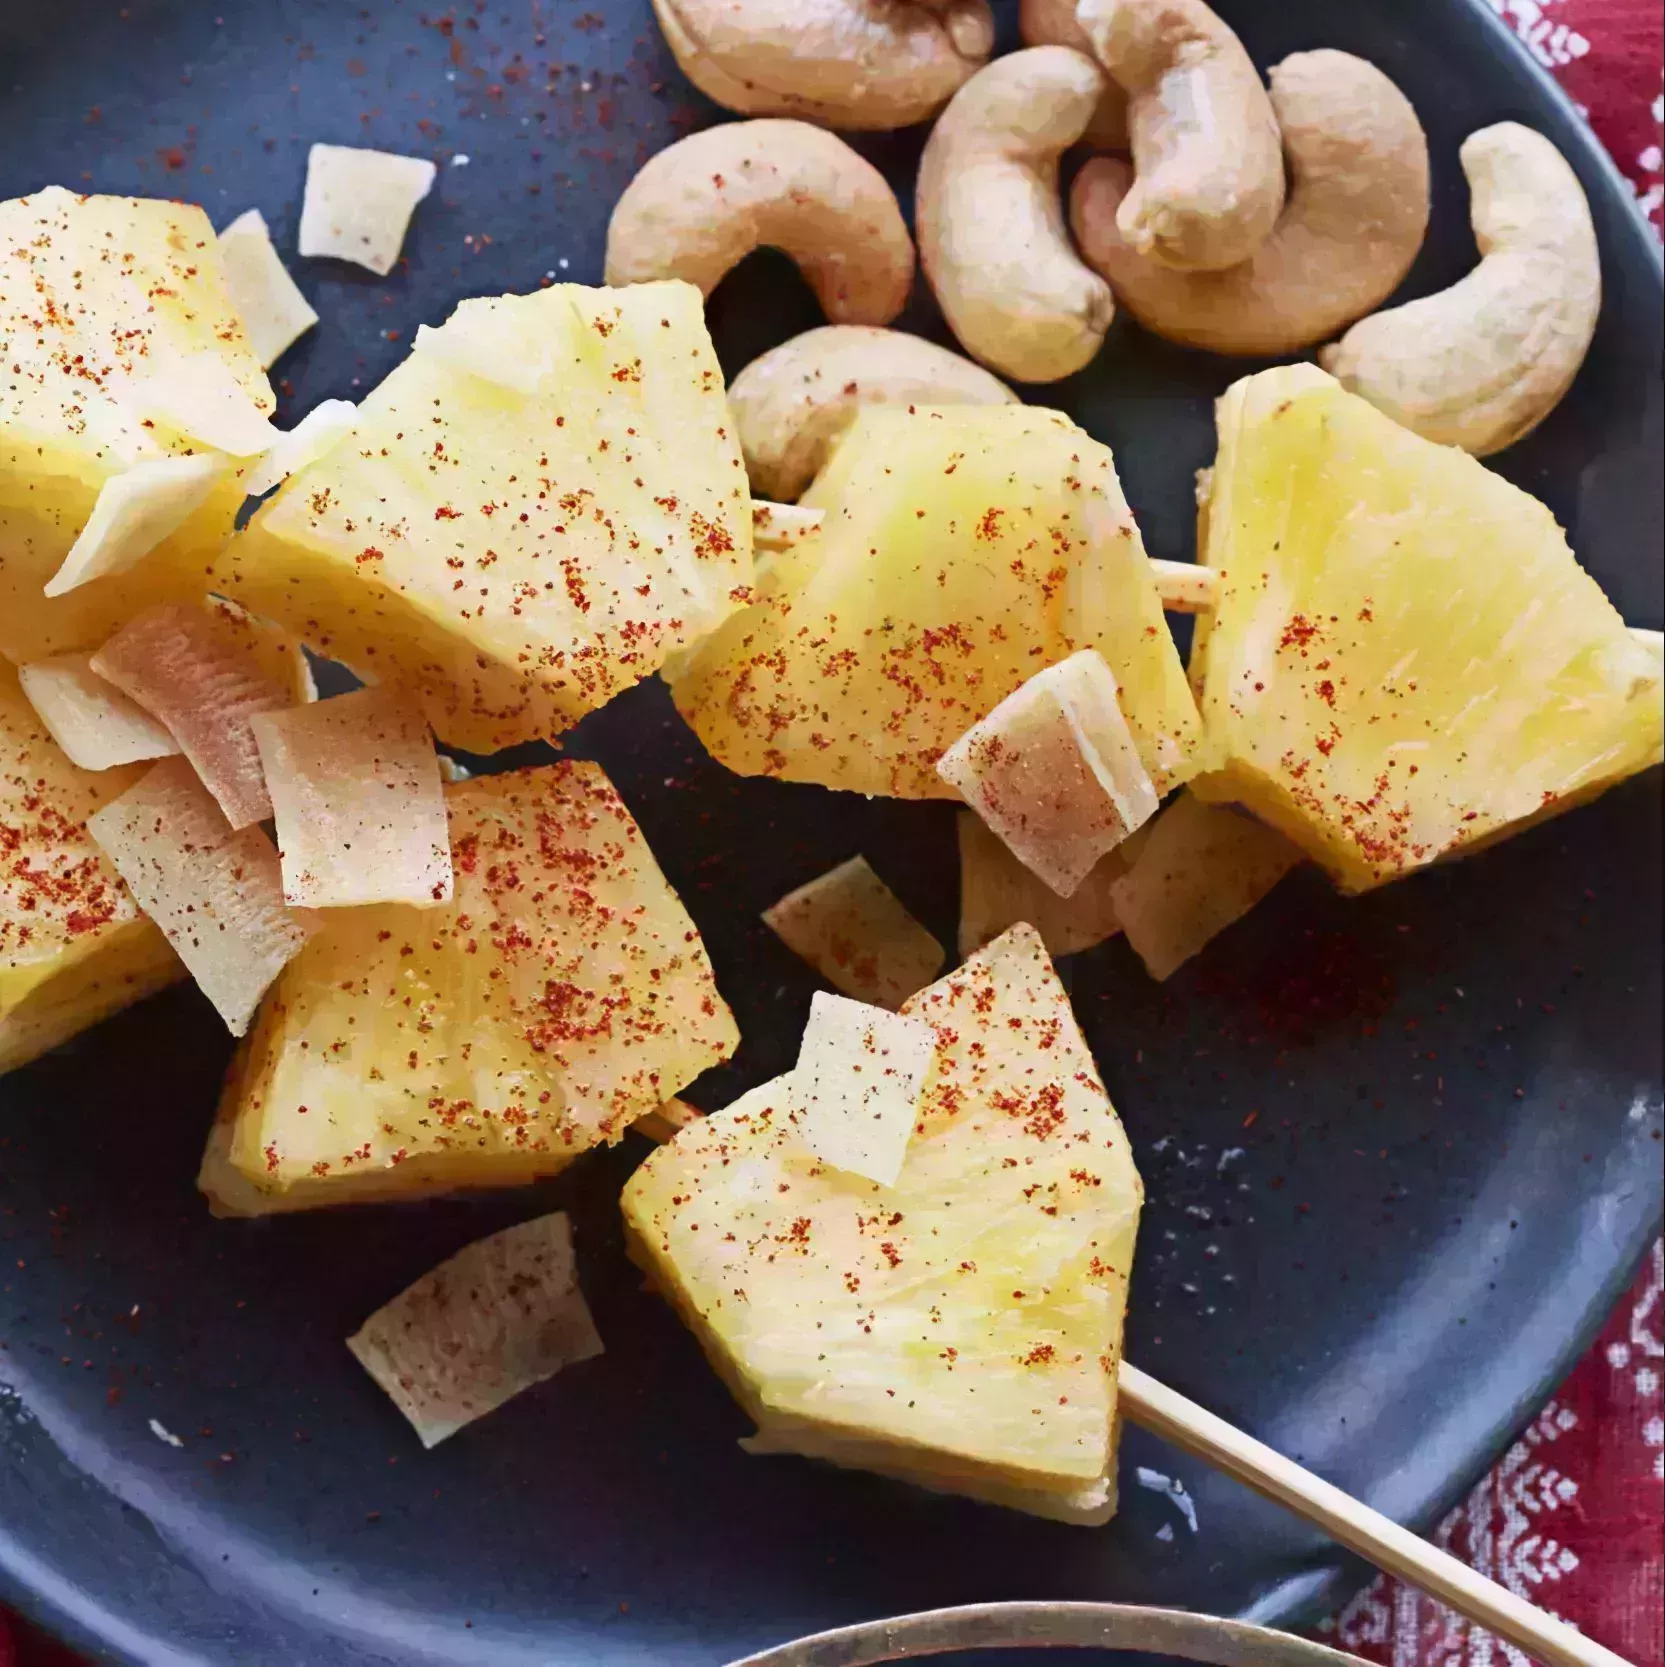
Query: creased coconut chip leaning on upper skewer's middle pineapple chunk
(1056,771)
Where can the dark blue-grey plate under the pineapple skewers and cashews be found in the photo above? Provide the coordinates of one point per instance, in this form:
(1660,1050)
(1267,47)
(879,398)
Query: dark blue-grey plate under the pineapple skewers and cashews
(1401,1153)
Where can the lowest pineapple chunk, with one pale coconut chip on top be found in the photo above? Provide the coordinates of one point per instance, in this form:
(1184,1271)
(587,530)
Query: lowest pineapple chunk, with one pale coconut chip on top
(961,1329)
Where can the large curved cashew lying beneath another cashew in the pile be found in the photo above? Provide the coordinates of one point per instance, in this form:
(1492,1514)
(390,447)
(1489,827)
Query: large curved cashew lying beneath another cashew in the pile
(1351,229)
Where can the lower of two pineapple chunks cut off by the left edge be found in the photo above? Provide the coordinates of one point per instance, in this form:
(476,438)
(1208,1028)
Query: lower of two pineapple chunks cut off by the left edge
(74,946)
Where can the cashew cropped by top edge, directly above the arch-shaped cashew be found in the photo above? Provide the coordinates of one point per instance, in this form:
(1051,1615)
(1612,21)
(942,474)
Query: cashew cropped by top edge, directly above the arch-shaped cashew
(851,64)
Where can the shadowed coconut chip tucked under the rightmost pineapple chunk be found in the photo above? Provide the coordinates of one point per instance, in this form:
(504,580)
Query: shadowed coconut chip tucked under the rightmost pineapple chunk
(1201,869)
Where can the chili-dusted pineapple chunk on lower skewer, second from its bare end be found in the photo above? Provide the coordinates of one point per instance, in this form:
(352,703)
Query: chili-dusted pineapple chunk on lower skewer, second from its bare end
(409,1051)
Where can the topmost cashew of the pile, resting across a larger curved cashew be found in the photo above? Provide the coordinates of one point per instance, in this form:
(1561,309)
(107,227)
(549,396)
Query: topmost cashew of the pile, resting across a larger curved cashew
(1207,161)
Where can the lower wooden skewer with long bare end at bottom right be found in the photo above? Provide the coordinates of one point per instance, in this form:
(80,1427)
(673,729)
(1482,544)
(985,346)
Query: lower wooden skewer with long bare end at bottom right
(1352,1524)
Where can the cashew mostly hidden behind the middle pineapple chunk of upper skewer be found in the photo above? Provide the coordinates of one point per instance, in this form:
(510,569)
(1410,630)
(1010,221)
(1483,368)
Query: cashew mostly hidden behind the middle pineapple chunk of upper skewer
(797,399)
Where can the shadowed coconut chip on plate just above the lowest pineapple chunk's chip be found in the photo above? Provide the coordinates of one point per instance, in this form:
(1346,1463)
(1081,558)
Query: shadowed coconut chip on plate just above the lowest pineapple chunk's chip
(856,933)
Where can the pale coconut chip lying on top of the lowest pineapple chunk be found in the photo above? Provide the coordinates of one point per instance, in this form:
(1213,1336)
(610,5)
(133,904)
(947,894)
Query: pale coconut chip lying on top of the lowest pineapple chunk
(856,1091)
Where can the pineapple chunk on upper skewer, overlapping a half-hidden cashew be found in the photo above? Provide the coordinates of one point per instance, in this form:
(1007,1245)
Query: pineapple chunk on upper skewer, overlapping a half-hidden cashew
(964,549)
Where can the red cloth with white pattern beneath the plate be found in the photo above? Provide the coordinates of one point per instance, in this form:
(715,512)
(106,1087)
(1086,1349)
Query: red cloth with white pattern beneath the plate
(1574,1516)
